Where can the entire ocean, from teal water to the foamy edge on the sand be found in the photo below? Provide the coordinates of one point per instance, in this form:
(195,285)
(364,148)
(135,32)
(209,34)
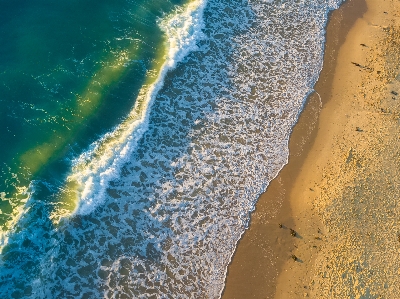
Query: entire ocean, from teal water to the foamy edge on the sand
(137,136)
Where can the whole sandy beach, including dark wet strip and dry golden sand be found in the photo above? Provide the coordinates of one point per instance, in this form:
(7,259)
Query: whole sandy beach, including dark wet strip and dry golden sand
(327,227)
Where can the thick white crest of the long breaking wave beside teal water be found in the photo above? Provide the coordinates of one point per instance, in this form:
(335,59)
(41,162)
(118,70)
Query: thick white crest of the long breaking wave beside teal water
(93,170)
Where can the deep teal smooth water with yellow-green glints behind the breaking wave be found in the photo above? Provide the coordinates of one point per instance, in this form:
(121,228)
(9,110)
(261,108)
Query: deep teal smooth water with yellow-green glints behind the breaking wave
(69,72)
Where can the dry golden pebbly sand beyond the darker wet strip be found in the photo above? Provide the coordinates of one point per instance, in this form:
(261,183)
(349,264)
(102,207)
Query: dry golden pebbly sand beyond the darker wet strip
(350,179)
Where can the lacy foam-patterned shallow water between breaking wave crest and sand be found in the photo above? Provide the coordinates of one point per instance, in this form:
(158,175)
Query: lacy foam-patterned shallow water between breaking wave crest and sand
(217,135)
